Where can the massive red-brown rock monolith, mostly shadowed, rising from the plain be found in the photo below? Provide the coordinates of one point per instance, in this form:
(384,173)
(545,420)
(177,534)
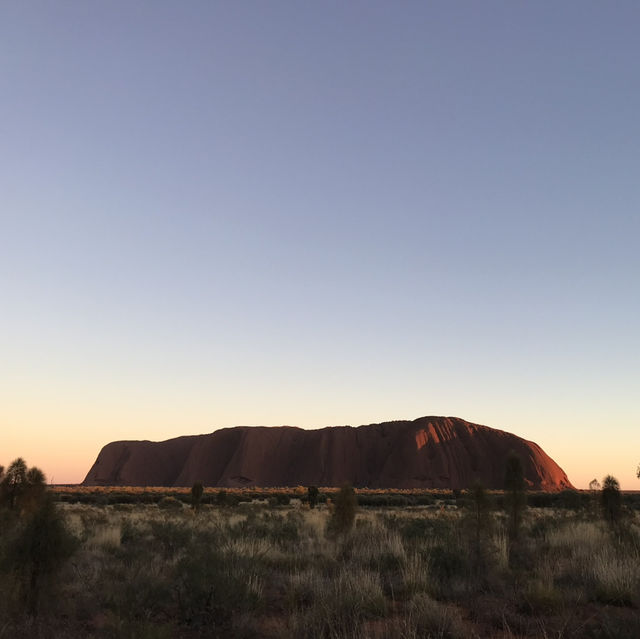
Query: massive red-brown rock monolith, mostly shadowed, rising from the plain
(430,452)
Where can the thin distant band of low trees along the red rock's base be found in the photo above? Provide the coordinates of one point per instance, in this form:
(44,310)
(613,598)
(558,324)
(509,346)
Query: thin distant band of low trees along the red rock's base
(106,495)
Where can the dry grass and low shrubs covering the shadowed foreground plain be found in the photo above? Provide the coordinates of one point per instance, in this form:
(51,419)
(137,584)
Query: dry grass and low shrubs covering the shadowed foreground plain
(264,568)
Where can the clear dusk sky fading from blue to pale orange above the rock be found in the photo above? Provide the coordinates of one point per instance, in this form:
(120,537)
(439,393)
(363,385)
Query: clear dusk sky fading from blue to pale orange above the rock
(317,214)
